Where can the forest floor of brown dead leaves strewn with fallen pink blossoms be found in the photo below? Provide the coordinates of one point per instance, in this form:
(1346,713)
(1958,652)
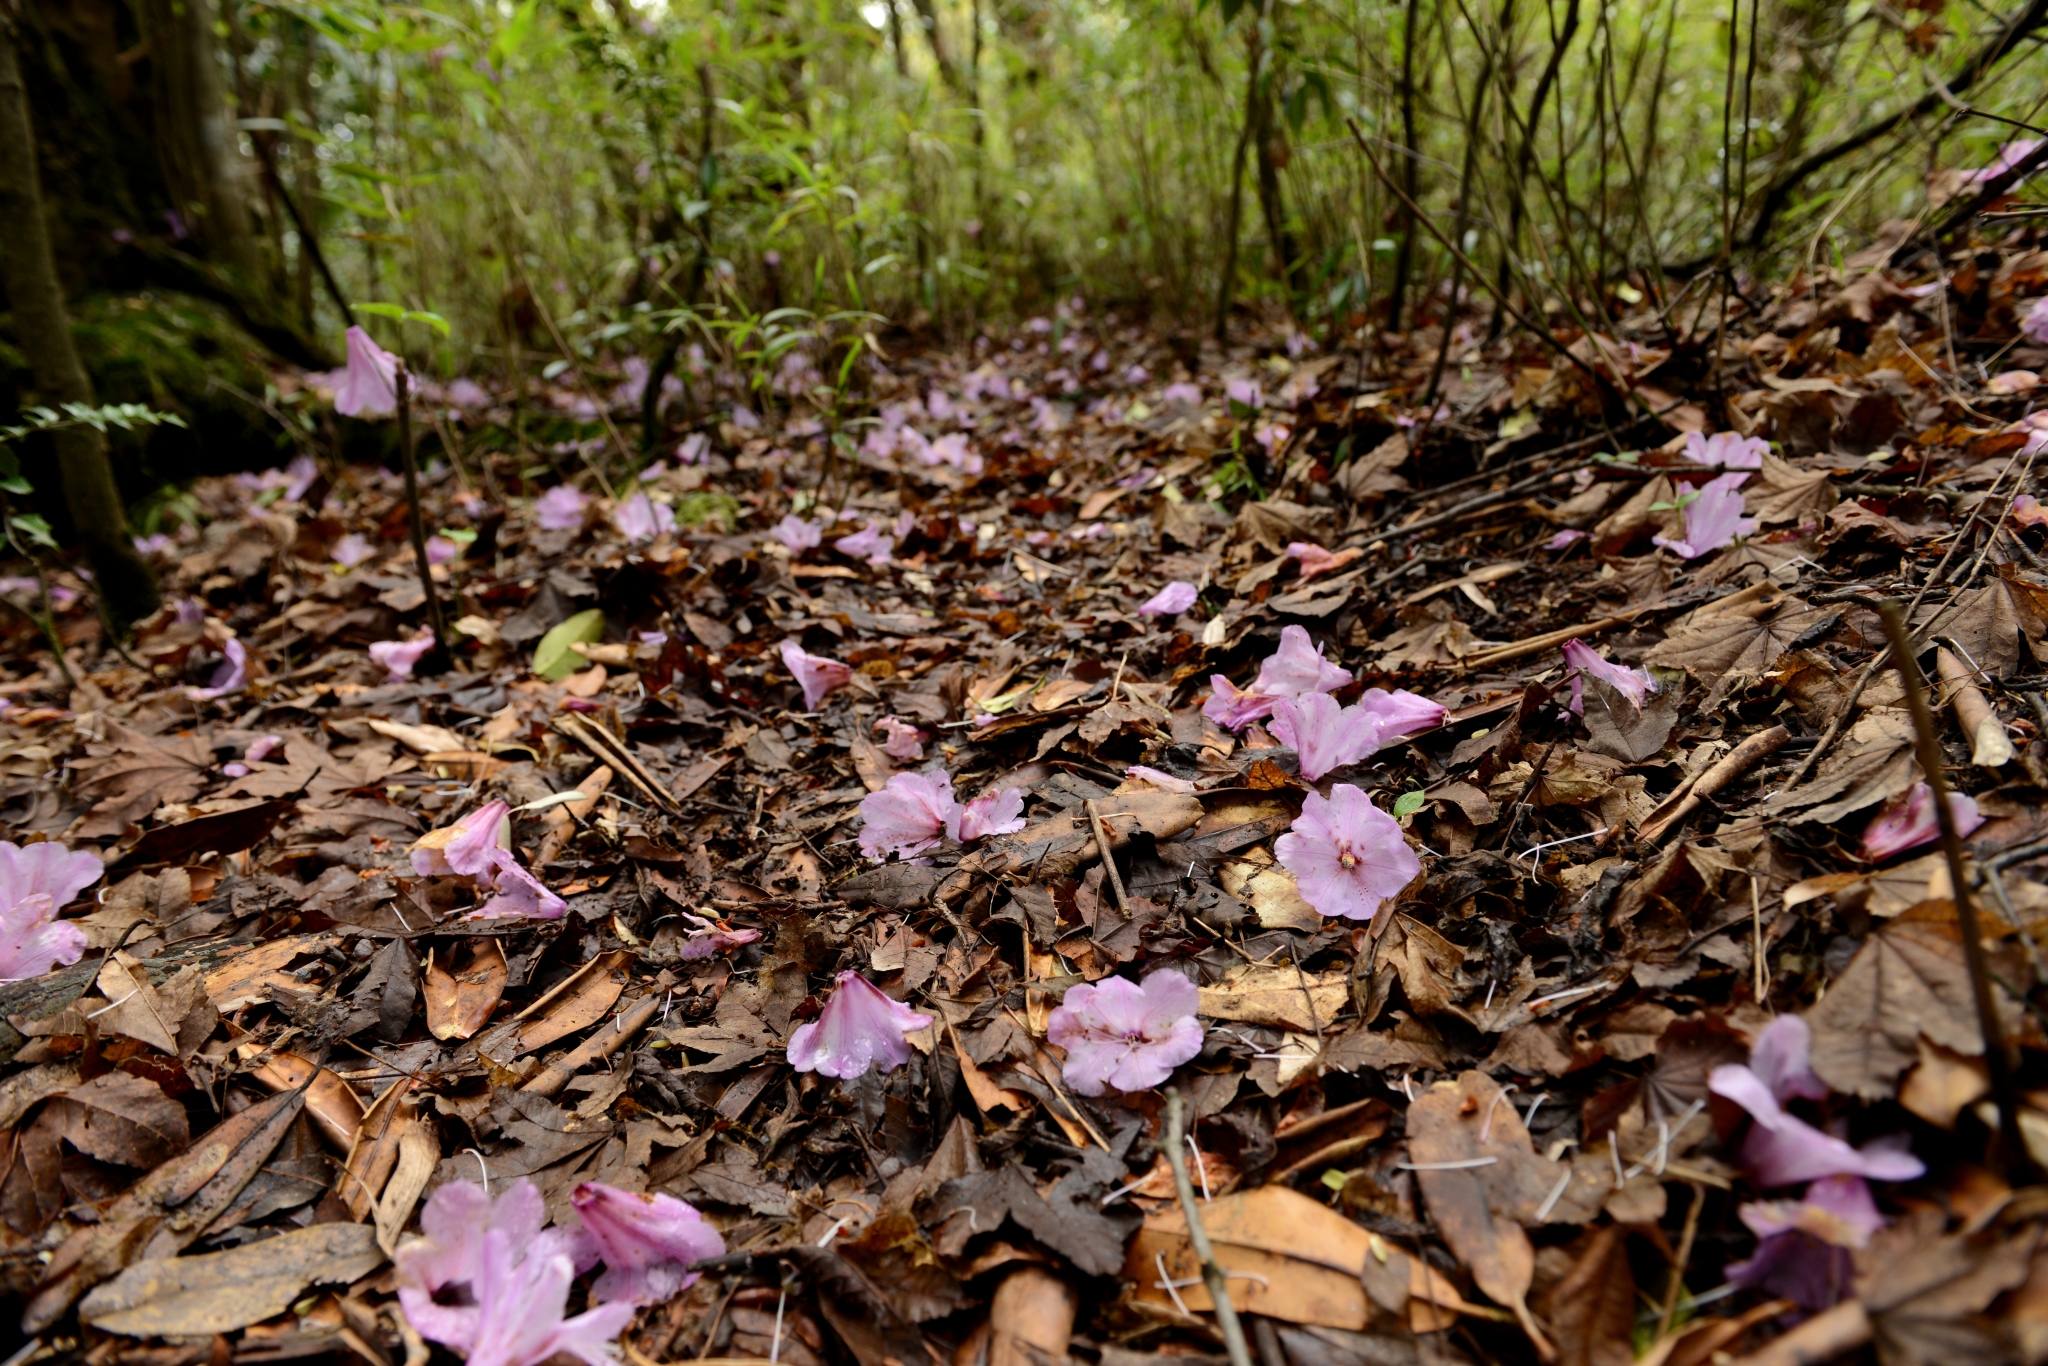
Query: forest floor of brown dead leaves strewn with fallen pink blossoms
(1682,966)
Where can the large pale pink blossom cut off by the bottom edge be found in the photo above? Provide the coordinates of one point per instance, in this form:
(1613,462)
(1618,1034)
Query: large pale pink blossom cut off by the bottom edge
(507,1281)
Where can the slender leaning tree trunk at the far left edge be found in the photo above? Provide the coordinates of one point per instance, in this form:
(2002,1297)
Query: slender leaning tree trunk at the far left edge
(44,331)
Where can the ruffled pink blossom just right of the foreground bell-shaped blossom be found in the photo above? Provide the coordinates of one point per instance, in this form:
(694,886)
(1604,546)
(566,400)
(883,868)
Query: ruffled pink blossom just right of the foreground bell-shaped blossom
(1125,1035)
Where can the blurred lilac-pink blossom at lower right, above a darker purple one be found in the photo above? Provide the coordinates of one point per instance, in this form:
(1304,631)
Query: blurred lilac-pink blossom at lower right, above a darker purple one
(1785,1150)
